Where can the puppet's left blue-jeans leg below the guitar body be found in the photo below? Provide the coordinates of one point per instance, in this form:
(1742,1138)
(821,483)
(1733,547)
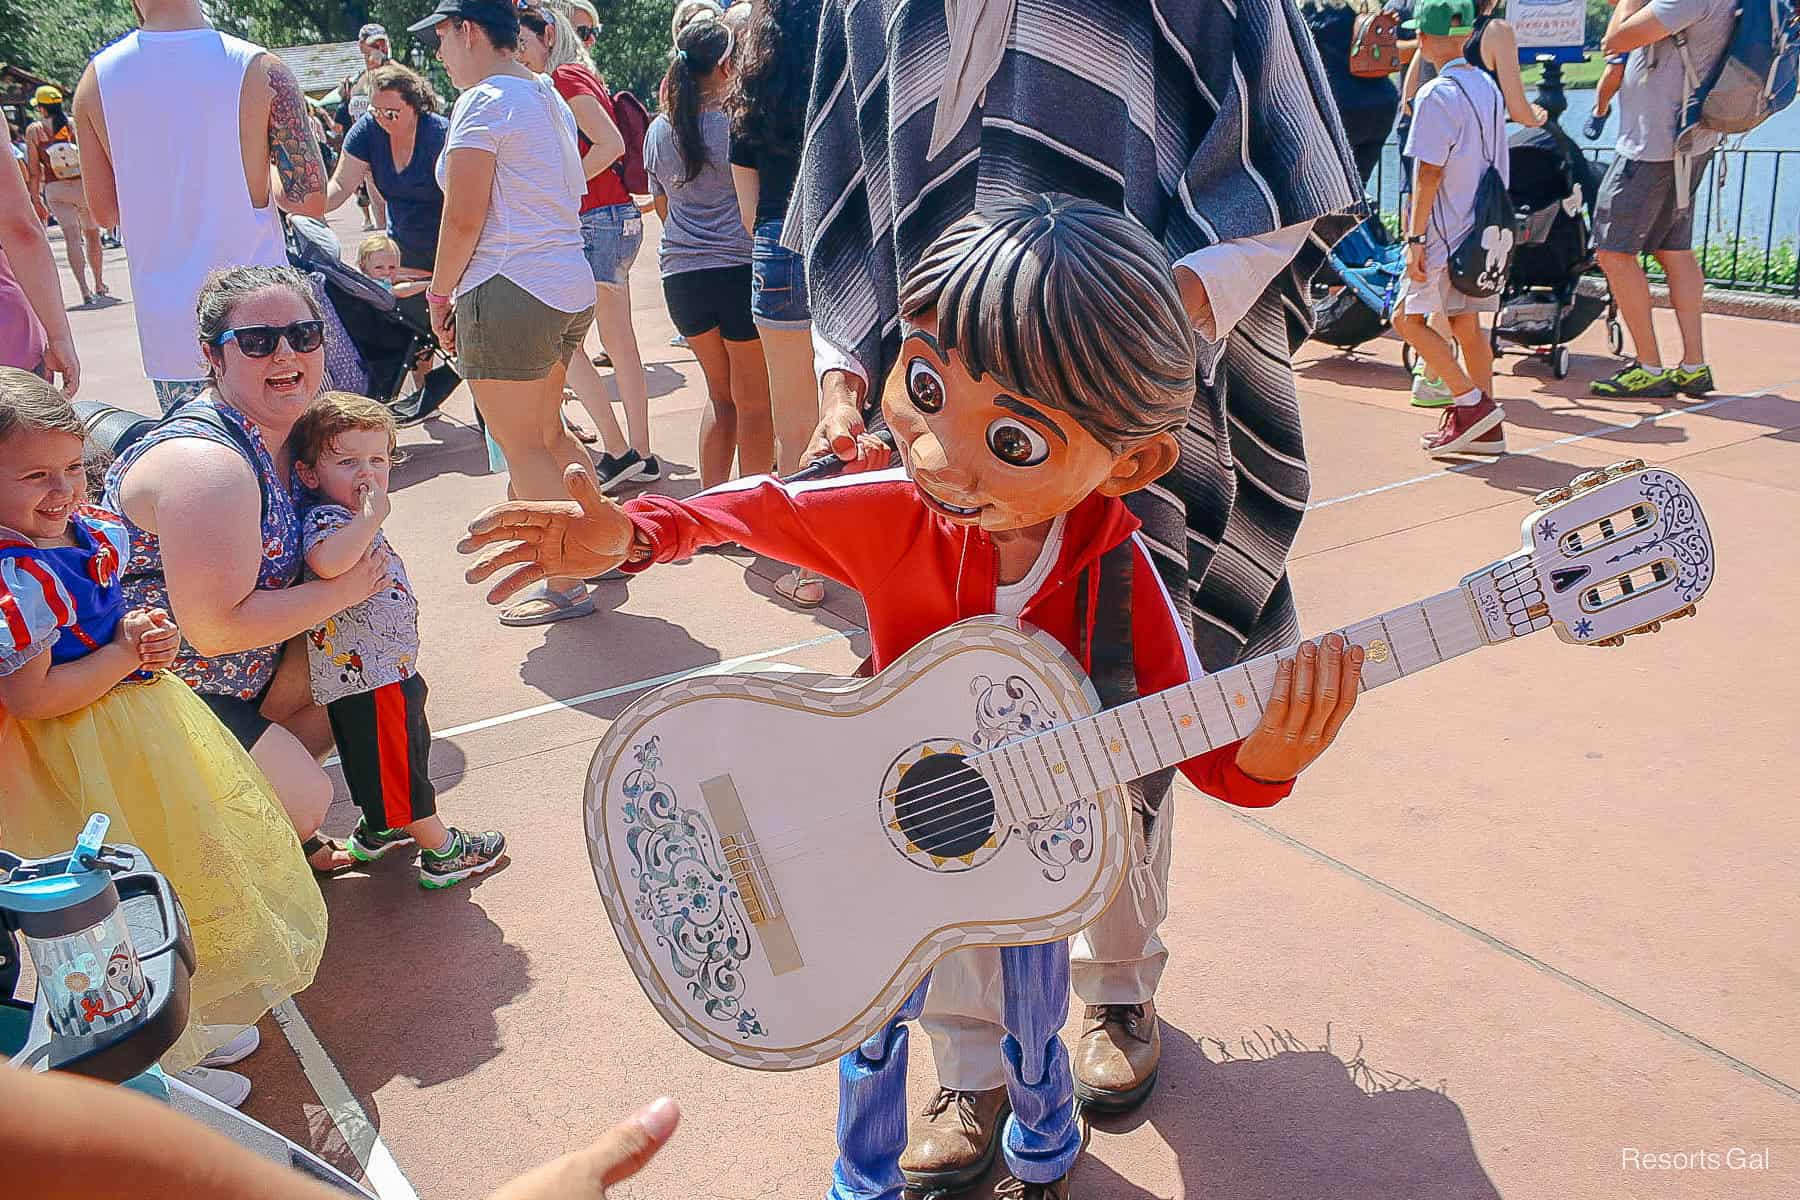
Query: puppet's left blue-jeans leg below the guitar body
(872,1111)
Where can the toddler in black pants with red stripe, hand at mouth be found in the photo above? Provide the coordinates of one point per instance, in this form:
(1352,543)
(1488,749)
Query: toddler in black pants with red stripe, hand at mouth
(364,661)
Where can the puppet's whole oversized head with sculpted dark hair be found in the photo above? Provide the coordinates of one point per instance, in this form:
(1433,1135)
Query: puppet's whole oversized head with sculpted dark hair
(1045,357)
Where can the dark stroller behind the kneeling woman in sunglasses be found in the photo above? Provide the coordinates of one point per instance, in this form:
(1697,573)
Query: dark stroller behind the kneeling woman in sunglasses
(373,341)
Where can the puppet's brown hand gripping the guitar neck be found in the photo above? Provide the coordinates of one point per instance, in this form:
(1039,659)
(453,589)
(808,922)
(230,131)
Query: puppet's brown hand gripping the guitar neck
(1313,695)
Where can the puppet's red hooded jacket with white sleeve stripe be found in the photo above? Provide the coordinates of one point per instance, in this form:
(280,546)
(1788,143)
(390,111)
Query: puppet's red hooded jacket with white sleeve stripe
(921,573)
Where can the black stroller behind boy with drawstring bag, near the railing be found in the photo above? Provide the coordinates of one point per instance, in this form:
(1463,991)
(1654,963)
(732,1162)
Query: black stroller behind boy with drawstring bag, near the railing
(1545,305)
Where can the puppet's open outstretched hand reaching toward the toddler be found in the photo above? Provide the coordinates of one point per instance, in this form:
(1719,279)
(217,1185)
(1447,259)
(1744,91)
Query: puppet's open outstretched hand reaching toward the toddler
(552,539)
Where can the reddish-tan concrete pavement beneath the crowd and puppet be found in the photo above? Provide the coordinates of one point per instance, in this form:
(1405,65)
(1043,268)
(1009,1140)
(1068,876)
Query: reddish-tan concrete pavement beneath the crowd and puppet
(1529,926)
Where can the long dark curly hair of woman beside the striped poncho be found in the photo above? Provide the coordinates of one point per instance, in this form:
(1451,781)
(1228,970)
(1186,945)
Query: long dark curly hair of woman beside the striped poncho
(768,98)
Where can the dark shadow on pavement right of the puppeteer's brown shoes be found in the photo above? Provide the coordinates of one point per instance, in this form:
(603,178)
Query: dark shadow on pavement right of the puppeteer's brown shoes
(1295,1124)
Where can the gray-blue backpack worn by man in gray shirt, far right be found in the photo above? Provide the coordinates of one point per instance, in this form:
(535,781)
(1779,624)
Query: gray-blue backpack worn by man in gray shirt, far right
(1754,80)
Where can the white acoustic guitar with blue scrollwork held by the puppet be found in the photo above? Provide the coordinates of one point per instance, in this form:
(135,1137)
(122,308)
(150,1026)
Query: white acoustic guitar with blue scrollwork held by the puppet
(784,863)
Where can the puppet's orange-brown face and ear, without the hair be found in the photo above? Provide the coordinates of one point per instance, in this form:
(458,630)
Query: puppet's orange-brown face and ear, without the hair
(984,456)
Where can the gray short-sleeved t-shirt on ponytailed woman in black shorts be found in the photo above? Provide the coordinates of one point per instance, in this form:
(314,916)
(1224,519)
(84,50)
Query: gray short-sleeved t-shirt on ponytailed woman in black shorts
(705,229)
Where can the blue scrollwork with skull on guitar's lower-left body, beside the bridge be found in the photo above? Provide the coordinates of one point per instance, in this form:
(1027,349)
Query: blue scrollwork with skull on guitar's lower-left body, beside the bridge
(685,893)
